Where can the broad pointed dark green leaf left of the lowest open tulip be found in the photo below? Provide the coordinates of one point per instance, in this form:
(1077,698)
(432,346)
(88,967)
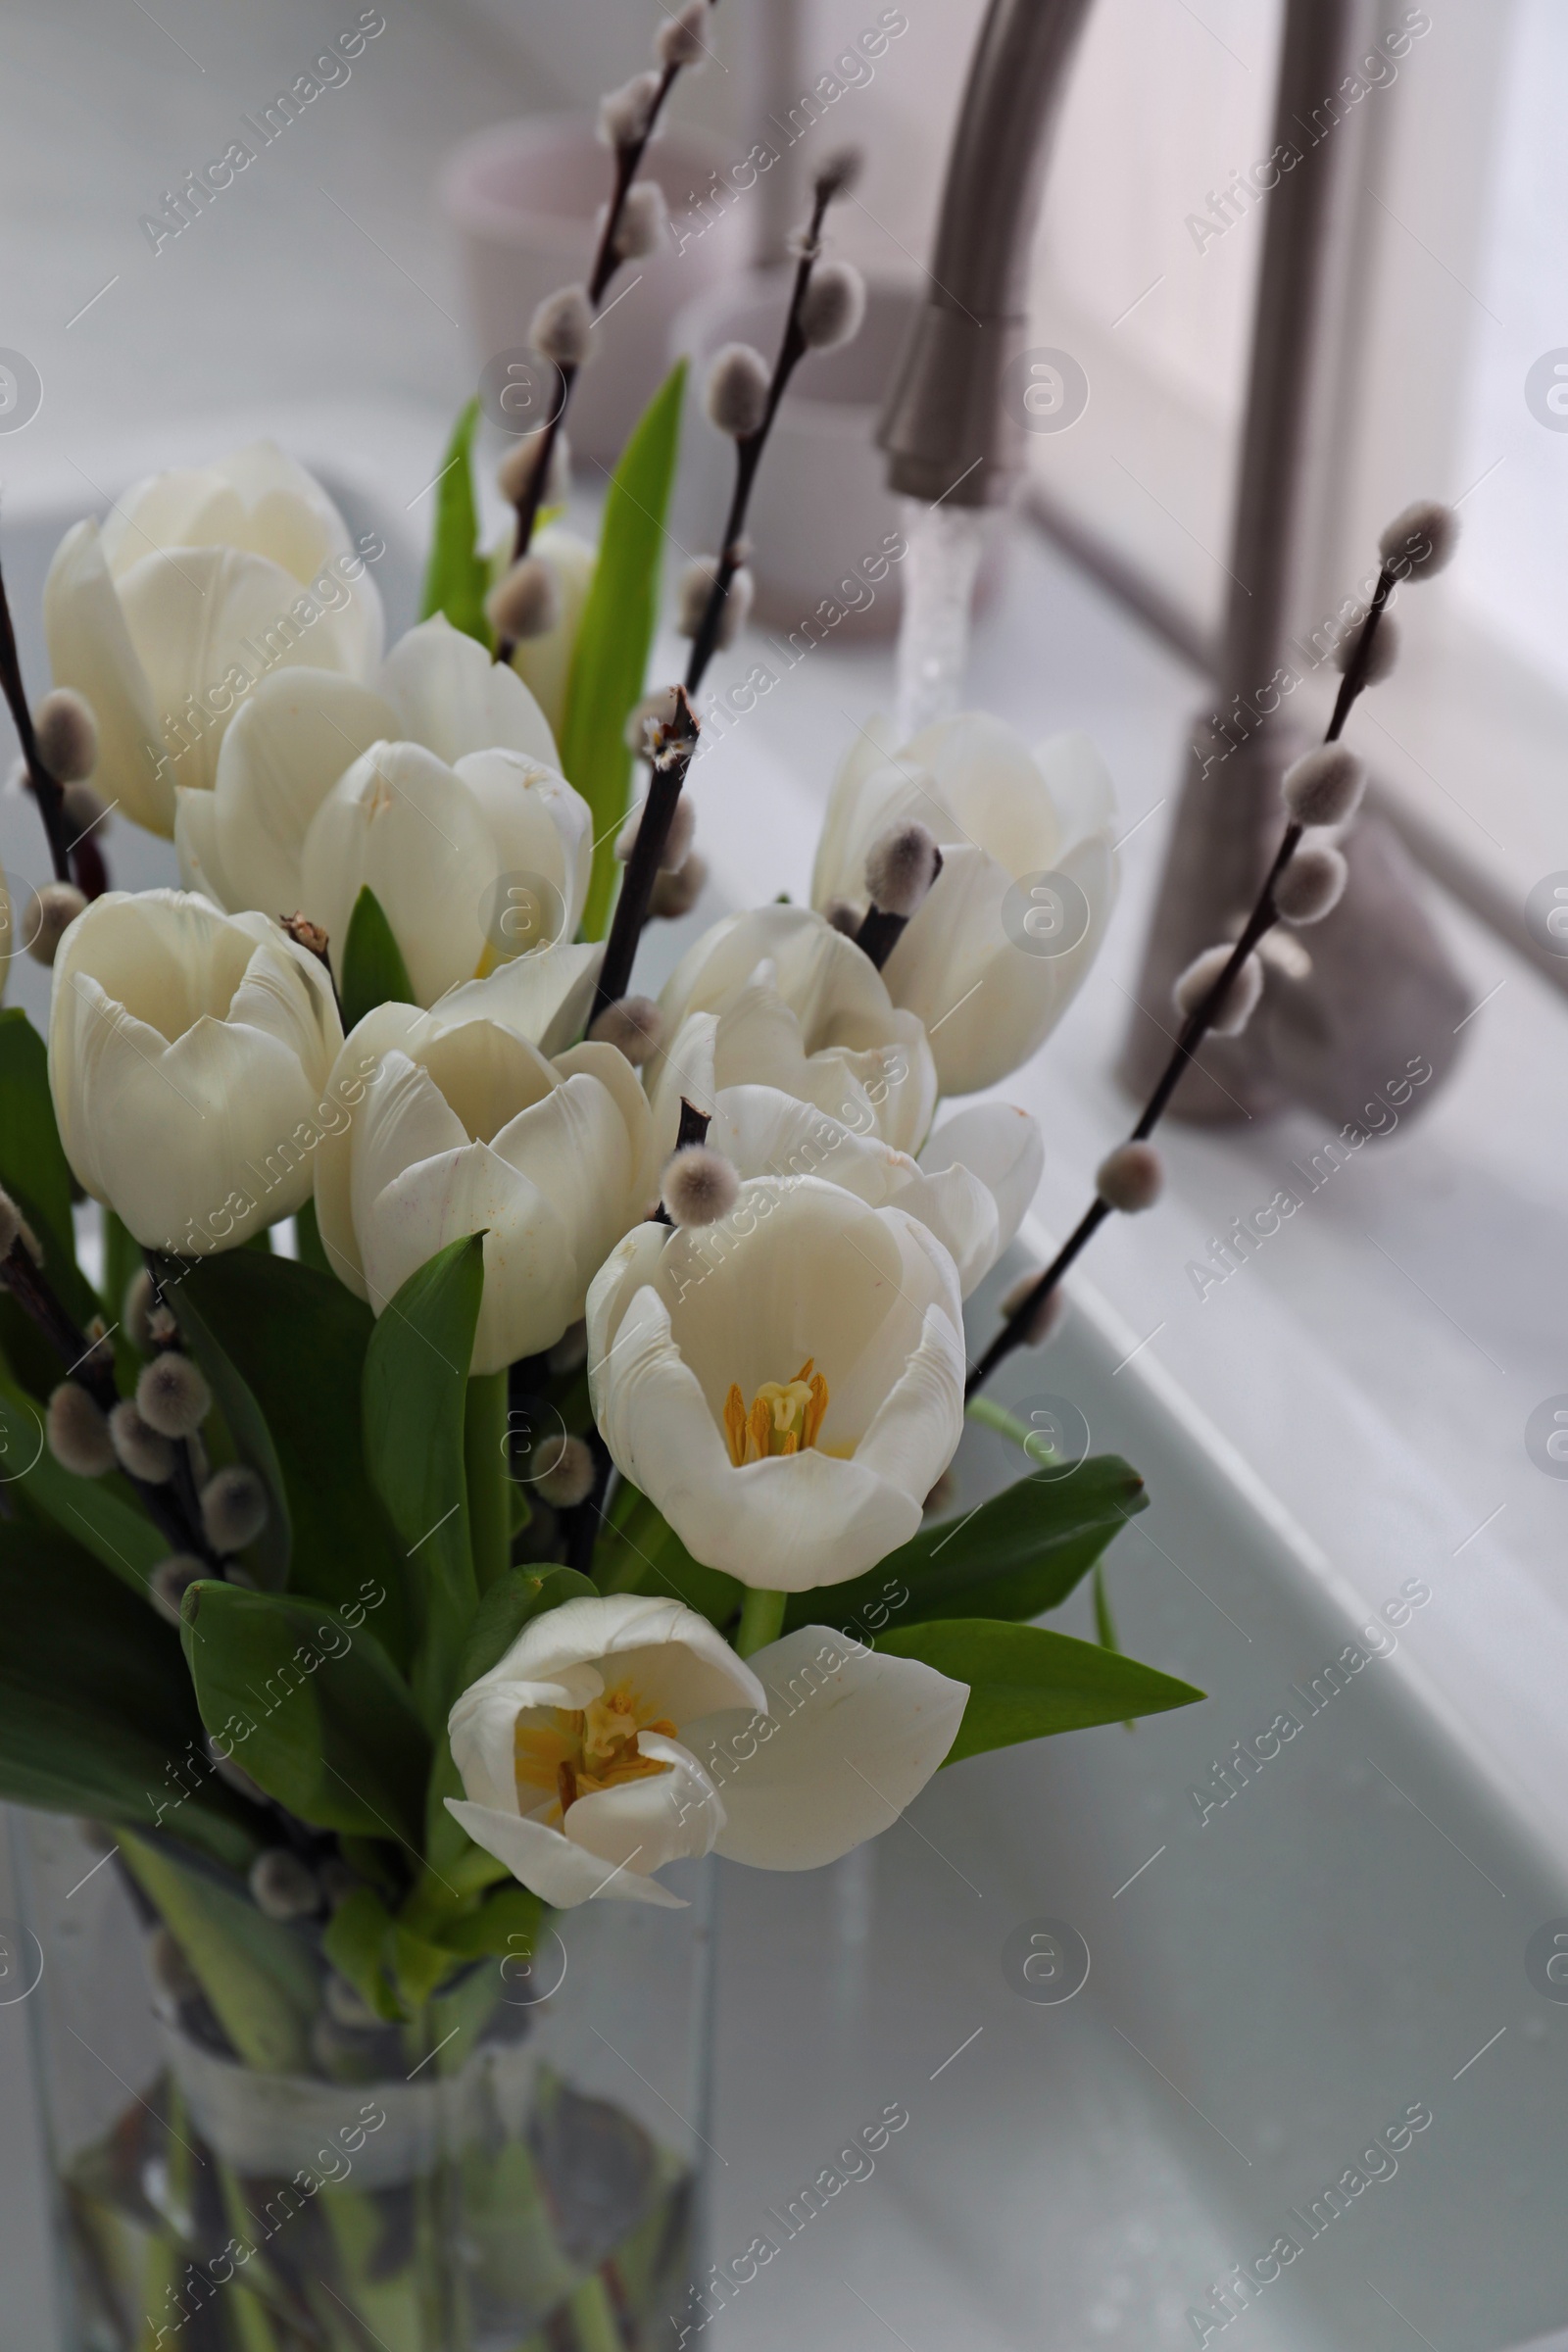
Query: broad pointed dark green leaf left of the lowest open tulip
(311,1706)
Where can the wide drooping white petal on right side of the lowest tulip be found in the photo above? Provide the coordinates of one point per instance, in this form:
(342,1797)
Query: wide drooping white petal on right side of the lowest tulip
(847,1744)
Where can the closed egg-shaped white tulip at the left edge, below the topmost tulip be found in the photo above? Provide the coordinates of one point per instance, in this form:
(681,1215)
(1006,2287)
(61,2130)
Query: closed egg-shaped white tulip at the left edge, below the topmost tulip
(189,1060)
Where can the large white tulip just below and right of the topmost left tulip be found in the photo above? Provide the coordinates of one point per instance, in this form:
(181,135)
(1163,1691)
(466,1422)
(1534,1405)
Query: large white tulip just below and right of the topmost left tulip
(441,789)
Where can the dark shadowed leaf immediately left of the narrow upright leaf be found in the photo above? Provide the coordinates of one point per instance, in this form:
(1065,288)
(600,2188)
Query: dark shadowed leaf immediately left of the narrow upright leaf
(297,1339)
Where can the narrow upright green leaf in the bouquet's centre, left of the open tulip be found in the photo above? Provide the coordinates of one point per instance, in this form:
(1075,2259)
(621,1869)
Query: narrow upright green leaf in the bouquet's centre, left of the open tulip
(413,1412)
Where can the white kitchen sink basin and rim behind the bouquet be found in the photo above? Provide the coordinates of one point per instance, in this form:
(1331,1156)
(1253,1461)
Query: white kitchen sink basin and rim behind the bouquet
(1273,1979)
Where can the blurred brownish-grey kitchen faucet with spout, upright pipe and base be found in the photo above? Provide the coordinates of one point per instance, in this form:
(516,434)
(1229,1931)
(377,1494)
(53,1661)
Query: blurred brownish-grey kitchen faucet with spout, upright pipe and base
(1353,1001)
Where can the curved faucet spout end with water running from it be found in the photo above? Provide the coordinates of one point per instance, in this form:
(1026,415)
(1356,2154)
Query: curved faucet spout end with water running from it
(946,425)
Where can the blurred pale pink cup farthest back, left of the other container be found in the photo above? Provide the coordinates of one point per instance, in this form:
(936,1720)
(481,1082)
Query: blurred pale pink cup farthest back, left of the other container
(525,199)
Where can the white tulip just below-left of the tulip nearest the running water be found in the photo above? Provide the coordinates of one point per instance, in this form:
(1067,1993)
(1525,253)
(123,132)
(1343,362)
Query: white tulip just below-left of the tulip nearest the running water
(779,998)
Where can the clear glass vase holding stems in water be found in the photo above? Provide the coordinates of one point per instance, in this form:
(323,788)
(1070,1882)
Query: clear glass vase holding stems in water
(516,2172)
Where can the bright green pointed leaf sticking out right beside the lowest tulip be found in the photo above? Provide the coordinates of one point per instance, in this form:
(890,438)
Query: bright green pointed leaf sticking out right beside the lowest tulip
(1028,1683)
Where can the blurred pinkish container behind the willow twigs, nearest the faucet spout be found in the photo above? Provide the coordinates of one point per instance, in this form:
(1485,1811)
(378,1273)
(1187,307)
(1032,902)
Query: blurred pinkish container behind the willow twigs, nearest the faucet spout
(822,521)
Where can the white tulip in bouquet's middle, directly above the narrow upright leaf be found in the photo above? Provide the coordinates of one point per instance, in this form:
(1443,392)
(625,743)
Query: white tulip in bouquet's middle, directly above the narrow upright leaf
(471,1128)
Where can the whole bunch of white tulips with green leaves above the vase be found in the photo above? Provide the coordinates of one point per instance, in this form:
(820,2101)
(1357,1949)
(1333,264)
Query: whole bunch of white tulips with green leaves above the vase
(549,1502)
